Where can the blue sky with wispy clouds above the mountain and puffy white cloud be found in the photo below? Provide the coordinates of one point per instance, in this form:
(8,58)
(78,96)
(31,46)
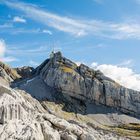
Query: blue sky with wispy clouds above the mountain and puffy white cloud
(88,31)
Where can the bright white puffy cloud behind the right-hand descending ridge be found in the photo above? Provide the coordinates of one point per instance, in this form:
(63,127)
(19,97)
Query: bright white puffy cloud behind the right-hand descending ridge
(123,75)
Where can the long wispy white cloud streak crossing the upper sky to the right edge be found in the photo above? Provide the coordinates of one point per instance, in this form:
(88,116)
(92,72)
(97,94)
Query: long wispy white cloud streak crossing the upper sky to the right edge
(77,27)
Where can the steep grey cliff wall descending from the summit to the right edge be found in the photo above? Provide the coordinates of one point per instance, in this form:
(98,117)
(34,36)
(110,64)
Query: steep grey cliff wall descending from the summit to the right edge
(88,85)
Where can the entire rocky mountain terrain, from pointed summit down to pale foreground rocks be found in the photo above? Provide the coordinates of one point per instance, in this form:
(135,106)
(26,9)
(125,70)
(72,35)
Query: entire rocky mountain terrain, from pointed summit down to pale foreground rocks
(62,101)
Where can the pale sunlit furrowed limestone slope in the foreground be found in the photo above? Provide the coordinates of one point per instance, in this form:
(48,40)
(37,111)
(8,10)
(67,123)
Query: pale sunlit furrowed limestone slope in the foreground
(23,117)
